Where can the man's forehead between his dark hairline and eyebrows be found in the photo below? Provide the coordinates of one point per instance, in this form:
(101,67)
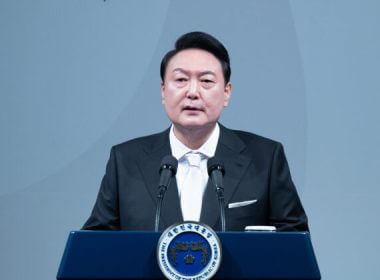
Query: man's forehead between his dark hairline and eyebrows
(195,60)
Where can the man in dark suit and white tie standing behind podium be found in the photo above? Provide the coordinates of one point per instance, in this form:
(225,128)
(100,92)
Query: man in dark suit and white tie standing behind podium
(195,88)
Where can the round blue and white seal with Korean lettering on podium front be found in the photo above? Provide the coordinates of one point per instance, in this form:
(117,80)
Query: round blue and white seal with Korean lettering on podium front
(189,250)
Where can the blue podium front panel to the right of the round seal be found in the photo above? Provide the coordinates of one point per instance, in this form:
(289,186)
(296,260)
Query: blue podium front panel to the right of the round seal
(268,255)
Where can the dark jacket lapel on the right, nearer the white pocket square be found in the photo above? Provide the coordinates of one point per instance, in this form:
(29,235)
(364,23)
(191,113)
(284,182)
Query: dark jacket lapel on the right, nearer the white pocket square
(229,151)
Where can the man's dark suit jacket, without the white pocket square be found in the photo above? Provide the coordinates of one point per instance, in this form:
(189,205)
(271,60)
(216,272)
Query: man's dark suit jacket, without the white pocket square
(256,168)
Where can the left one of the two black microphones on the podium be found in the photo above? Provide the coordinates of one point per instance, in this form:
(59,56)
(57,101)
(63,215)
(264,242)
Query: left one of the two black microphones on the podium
(168,169)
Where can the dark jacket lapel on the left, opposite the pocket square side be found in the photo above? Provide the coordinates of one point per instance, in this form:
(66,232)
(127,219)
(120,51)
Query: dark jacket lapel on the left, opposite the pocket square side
(156,148)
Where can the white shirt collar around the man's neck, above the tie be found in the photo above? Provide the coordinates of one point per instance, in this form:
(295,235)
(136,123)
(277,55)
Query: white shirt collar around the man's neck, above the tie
(208,148)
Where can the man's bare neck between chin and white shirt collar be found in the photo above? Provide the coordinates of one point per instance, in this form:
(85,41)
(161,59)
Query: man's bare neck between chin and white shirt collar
(193,138)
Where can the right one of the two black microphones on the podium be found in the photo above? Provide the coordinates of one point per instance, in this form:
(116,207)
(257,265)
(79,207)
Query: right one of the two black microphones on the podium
(216,171)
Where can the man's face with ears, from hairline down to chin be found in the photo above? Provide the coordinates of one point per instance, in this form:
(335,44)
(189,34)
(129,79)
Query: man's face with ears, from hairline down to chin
(193,91)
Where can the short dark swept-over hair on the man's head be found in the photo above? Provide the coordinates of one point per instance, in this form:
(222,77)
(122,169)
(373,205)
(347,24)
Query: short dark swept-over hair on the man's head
(203,41)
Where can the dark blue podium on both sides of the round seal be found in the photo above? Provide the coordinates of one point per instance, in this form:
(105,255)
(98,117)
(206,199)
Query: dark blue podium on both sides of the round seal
(132,254)
